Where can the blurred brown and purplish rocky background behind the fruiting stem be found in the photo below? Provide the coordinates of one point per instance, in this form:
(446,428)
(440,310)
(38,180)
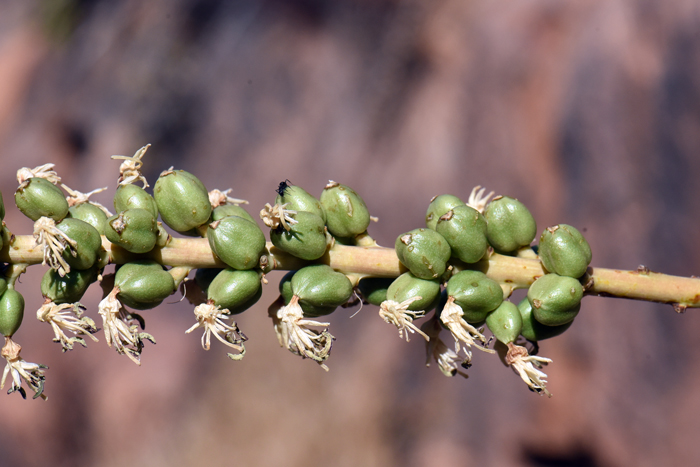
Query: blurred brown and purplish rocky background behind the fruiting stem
(587,111)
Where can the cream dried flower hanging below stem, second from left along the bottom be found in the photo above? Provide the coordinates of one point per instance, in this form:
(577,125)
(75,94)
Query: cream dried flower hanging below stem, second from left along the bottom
(67,317)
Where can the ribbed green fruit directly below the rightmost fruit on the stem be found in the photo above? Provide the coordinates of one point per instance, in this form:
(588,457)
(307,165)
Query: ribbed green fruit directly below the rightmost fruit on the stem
(555,299)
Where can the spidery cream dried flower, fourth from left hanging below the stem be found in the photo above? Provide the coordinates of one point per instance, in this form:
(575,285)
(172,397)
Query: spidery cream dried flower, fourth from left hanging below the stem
(210,317)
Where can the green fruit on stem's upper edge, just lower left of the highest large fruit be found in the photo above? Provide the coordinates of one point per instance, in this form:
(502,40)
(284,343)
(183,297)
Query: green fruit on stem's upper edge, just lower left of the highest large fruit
(135,230)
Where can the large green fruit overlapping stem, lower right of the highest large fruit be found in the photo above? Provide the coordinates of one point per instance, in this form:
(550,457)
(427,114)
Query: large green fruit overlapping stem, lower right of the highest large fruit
(237,242)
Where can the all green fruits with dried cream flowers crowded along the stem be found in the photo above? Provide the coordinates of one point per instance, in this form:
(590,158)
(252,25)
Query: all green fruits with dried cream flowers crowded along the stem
(444,265)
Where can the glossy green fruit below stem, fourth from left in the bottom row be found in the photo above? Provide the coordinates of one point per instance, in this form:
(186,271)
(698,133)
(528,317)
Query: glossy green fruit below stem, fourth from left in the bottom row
(235,290)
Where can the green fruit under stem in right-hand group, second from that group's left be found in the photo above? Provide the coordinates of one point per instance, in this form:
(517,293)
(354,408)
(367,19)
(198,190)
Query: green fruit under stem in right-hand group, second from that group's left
(475,293)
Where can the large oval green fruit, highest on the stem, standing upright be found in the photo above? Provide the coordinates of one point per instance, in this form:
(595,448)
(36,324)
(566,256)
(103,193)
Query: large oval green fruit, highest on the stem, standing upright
(182,199)
